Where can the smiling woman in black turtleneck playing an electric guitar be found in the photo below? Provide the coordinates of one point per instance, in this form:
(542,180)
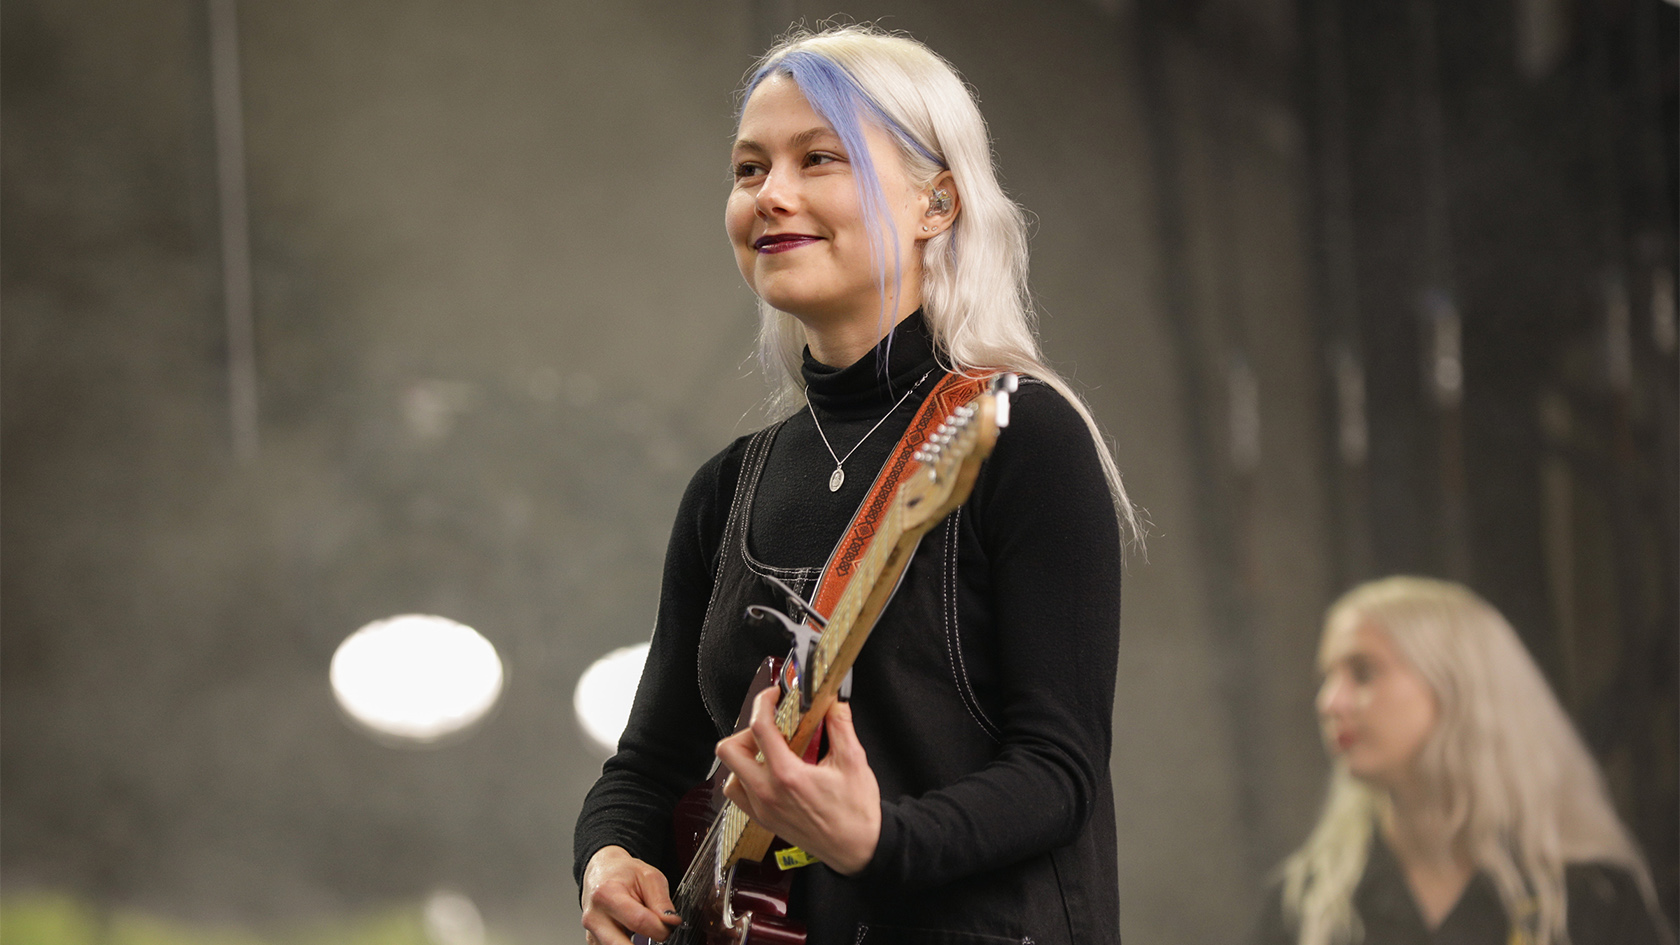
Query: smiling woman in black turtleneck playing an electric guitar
(965,795)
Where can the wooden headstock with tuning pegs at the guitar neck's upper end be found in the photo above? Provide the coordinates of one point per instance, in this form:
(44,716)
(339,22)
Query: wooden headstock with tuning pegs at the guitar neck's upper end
(953,453)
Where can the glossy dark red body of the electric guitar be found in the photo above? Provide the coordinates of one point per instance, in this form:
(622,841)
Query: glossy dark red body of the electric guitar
(748,905)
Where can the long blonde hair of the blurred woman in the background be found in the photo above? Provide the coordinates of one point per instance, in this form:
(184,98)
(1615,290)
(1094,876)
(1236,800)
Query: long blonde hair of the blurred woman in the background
(1515,783)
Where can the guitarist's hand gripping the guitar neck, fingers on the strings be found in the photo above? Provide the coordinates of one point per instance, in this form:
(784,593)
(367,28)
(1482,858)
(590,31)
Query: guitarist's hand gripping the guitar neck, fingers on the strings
(831,810)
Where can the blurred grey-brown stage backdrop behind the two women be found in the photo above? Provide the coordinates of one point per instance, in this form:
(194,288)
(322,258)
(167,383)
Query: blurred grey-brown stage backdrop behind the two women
(318,314)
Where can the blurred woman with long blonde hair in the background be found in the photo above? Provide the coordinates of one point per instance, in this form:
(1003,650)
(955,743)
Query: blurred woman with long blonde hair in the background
(1462,806)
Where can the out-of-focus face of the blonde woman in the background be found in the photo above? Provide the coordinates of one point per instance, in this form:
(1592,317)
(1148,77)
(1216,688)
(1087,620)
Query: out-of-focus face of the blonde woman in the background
(1375,710)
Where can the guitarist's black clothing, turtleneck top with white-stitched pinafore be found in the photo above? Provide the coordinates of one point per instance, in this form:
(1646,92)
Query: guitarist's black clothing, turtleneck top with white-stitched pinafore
(984,697)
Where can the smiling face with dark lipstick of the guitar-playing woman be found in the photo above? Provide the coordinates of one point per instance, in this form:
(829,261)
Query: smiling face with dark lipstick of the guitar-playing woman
(794,214)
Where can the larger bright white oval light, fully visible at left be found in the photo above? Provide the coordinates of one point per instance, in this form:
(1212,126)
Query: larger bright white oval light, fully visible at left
(416,680)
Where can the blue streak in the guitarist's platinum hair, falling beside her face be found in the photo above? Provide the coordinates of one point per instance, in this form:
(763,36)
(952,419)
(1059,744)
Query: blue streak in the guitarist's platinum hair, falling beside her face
(843,103)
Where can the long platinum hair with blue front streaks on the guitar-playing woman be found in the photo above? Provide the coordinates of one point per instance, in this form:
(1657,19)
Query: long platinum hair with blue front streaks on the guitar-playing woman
(975,295)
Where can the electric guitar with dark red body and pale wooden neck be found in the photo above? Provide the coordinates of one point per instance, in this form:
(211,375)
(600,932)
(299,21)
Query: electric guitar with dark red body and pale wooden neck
(733,894)
